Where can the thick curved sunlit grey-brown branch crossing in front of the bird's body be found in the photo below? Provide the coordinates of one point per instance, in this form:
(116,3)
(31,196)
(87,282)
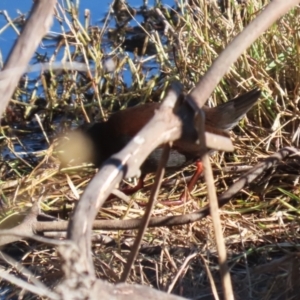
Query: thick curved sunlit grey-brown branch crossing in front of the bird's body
(125,163)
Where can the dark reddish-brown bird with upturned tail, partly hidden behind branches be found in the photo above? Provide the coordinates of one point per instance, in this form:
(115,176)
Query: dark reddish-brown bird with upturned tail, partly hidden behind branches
(109,137)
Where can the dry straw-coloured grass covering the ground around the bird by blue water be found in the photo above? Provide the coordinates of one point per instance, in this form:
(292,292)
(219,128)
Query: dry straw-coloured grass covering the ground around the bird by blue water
(261,225)
